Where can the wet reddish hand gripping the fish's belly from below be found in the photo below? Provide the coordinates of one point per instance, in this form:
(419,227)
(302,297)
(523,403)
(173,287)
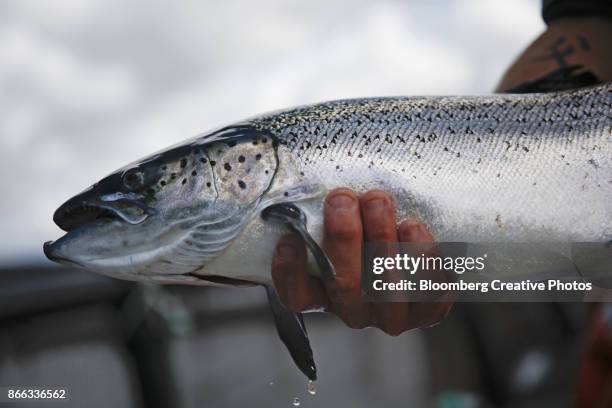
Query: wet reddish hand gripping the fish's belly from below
(349,220)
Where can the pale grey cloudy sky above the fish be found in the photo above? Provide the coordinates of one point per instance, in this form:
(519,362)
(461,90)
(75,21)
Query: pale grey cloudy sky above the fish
(89,85)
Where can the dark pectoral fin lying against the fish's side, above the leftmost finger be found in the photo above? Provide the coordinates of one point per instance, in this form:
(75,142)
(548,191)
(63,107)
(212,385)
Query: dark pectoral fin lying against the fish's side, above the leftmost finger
(291,216)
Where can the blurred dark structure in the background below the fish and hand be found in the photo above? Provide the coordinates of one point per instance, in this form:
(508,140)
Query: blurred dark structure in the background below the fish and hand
(120,344)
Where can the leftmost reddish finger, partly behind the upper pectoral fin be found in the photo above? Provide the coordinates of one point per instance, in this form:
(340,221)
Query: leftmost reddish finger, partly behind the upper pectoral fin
(296,289)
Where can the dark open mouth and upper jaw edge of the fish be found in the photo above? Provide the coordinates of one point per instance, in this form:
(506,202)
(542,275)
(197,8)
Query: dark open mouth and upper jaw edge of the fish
(73,215)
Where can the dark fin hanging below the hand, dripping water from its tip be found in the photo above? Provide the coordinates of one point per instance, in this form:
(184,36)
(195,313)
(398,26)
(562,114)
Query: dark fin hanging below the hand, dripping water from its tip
(292,331)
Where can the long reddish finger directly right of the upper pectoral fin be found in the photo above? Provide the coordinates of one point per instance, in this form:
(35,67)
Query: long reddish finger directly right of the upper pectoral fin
(342,243)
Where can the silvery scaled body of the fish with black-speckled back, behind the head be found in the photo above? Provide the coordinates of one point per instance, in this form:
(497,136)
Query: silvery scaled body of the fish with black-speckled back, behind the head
(486,168)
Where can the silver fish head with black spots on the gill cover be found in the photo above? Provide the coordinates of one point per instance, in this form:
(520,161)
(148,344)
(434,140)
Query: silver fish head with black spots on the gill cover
(163,217)
